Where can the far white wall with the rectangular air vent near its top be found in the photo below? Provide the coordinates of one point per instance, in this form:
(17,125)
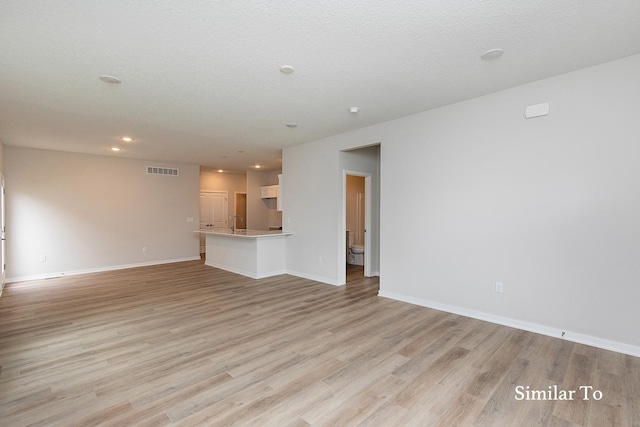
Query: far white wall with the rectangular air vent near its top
(91,213)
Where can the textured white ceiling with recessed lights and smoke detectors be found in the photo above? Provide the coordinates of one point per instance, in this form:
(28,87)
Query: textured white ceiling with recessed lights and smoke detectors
(201,80)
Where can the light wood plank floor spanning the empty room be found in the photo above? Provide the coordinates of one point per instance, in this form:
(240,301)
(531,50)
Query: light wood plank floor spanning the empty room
(186,344)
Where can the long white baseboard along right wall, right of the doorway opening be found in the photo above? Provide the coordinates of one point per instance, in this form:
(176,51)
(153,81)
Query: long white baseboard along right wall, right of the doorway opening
(603,343)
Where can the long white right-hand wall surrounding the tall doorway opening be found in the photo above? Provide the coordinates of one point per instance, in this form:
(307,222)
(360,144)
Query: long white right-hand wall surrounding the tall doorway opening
(548,206)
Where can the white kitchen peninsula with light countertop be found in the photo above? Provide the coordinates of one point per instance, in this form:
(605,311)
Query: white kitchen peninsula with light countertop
(252,253)
